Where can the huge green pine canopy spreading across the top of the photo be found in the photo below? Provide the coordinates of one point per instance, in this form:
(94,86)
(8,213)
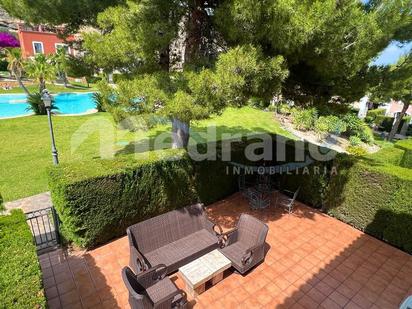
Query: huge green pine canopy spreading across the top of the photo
(187,59)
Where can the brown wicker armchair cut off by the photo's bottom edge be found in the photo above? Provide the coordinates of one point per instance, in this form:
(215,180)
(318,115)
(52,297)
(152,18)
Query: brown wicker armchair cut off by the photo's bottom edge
(152,289)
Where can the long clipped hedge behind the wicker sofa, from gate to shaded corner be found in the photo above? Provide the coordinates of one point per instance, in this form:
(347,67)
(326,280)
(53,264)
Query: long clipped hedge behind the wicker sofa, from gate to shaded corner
(97,201)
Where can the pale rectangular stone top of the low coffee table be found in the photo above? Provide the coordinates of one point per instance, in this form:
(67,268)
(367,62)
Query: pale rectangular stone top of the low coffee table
(204,268)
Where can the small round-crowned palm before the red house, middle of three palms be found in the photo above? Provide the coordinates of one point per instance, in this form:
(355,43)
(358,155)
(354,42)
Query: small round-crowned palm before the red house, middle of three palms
(41,69)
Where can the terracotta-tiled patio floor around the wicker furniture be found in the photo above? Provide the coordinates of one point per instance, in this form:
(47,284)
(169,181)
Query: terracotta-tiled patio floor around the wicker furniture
(313,261)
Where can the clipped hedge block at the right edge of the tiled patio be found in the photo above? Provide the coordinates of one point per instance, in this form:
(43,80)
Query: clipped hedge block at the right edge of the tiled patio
(373,197)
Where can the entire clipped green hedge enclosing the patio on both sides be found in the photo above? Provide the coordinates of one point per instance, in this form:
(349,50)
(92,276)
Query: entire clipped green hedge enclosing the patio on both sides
(96,201)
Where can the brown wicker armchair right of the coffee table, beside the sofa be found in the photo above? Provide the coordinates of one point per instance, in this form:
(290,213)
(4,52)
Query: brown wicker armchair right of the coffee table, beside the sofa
(244,246)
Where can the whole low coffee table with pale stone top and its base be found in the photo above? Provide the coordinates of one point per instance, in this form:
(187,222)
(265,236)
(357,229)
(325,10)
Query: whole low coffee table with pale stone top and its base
(209,267)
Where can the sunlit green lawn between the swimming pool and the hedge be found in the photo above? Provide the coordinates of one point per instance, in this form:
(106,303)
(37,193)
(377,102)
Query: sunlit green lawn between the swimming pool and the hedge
(25,142)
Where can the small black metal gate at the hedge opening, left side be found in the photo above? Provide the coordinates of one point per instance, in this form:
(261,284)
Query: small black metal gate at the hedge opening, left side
(44,225)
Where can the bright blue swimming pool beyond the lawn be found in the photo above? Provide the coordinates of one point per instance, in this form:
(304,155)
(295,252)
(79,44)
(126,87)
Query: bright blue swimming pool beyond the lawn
(15,105)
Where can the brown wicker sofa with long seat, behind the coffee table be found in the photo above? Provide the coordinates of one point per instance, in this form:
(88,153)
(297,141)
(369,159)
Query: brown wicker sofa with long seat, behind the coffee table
(173,239)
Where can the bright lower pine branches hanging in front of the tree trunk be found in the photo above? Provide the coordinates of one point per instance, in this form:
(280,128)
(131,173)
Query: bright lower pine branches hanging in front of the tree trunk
(240,73)
